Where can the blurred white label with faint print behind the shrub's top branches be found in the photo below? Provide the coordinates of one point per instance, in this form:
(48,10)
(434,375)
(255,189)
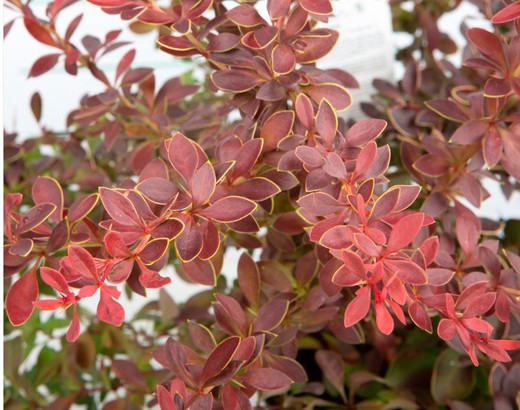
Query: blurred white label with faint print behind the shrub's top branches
(364,48)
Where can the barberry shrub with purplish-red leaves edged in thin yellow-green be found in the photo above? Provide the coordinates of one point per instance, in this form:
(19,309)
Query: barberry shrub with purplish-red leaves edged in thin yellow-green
(365,277)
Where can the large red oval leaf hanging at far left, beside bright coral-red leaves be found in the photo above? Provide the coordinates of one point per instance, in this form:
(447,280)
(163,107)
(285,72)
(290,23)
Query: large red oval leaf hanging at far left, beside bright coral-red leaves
(20,298)
